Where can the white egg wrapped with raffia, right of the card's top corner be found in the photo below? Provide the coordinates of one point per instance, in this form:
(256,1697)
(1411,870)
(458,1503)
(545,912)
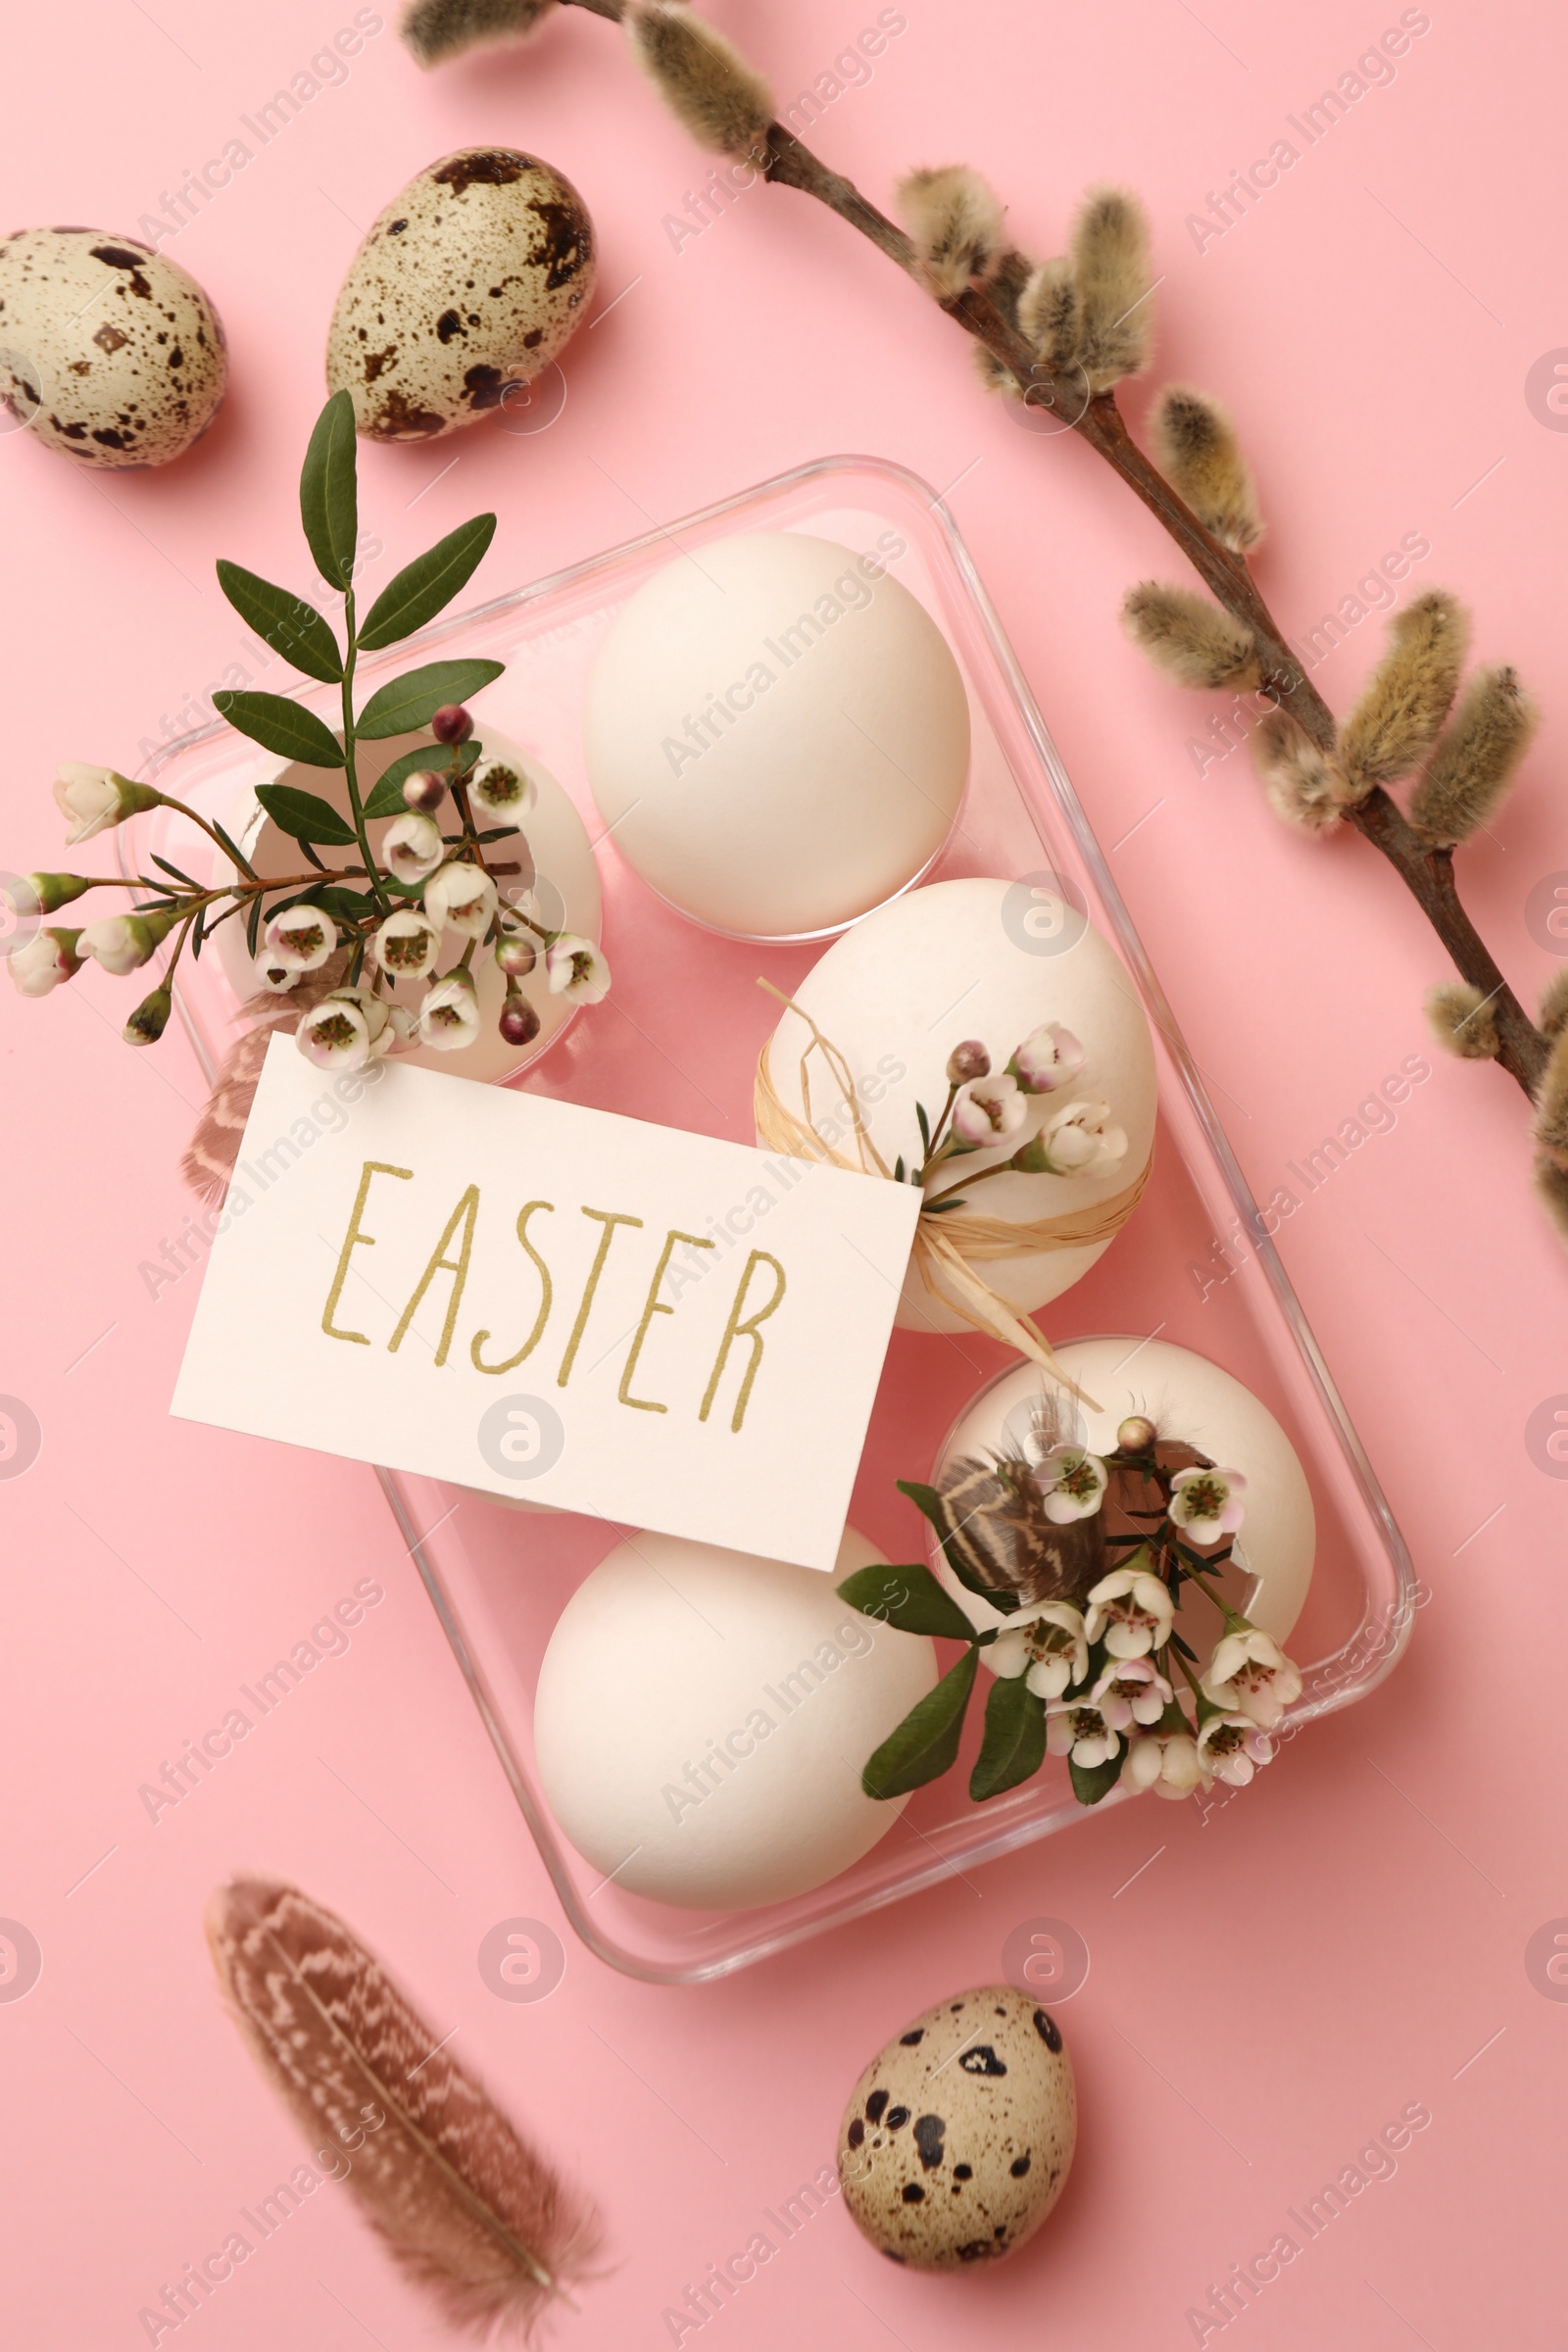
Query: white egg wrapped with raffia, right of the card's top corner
(996,965)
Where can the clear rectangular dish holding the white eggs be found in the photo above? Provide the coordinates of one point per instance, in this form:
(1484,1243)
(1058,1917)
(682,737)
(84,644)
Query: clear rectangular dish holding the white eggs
(676,1043)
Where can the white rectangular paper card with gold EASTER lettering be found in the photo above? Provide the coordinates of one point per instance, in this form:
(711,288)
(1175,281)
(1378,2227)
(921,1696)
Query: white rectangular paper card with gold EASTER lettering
(549,1302)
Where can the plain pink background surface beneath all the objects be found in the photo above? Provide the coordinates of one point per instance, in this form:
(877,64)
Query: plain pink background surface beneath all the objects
(1289,1972)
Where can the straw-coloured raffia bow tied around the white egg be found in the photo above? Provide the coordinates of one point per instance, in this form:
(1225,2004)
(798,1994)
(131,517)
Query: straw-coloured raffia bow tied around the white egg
(949,1245)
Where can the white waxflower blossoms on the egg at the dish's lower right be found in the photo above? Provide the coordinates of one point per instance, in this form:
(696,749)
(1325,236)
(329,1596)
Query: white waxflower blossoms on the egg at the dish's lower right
(1108,1673)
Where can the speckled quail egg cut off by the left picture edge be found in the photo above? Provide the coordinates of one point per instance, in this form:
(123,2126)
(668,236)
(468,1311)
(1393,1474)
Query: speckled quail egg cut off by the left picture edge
(109,352)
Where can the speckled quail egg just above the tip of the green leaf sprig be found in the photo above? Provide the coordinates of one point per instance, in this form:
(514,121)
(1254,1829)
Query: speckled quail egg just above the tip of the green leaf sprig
(467,288)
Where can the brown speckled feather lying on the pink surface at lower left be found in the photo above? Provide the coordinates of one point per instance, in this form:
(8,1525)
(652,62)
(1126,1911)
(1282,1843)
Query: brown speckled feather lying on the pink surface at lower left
(464,2205)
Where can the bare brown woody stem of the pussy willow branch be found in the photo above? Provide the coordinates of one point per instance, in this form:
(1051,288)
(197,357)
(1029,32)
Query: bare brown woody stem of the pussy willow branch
(1426,871)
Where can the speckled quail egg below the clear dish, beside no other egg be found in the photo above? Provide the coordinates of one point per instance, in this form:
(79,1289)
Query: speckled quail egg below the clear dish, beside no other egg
(960,2134)
